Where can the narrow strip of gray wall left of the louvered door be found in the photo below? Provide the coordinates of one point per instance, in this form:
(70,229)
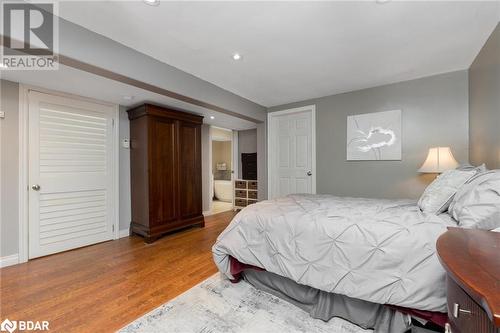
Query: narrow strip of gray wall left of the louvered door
(9,159)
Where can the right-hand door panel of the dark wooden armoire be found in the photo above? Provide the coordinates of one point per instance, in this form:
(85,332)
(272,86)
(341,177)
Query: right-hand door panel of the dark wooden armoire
(189,170)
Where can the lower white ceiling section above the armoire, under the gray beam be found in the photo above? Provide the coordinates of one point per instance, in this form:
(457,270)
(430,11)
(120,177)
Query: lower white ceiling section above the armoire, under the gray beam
(77,82)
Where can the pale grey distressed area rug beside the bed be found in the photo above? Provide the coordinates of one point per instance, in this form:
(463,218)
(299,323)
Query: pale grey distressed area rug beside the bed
(217,305)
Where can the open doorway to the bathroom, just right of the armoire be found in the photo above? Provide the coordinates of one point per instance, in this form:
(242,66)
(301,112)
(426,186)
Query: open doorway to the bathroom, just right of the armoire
(222,169)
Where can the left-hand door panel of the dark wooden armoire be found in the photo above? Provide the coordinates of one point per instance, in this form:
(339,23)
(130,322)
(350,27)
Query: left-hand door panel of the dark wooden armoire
(162,171)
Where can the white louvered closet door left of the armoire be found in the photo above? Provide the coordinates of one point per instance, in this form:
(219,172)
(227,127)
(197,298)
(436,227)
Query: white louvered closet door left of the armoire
(71,147)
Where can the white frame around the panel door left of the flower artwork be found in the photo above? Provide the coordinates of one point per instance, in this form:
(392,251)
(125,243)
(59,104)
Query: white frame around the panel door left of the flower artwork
(271,144)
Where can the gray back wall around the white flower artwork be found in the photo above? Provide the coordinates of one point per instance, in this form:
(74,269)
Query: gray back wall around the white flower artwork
(435,113)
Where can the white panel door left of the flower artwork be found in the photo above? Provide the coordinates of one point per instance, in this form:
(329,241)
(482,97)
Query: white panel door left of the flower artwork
(291,152)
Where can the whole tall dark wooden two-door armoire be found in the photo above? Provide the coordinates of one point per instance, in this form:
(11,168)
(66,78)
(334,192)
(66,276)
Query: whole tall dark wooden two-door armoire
(165,163)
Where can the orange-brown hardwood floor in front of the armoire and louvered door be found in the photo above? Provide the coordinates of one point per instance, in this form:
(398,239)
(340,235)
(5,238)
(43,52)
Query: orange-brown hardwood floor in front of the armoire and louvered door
(103,287)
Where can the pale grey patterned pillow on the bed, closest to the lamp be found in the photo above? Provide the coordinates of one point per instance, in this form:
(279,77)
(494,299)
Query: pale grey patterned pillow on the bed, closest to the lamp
(438,195)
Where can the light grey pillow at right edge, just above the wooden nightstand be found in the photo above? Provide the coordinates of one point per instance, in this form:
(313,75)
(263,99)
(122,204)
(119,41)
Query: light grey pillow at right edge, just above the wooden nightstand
(477,204)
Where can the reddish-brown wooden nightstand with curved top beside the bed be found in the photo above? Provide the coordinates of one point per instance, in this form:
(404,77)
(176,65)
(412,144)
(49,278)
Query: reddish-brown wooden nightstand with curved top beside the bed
(472,262)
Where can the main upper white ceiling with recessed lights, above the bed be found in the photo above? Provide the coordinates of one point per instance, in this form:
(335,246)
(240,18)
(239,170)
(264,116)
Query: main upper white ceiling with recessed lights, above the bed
(297,50)
